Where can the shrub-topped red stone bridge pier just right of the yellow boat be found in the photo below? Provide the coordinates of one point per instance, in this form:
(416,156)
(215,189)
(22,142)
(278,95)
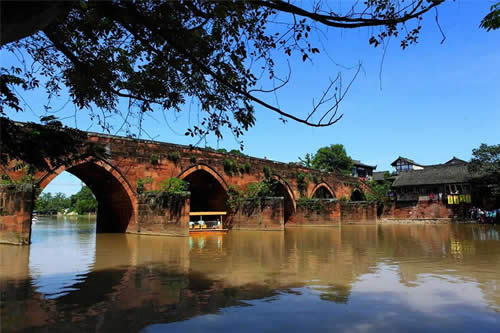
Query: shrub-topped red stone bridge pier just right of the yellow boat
(269,216)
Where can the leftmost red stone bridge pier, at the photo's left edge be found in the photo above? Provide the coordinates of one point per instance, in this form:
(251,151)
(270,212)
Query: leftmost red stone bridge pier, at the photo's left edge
(16,202)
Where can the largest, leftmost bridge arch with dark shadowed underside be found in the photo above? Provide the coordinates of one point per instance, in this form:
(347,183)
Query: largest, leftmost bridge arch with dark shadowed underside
(116,201)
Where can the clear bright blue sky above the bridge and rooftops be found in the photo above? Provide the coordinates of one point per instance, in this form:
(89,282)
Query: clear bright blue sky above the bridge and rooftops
(432,101)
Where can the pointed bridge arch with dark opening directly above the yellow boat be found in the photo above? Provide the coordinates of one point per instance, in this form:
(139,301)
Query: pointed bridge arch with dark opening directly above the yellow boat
(208,189)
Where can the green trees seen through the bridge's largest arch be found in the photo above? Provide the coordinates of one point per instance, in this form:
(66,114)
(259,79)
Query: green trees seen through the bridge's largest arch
(82,202)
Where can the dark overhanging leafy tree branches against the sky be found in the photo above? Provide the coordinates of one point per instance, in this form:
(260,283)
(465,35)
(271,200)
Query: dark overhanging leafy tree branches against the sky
(163,54)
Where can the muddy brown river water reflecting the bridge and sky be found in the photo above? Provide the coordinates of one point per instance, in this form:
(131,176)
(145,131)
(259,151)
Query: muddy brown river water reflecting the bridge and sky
(342,279)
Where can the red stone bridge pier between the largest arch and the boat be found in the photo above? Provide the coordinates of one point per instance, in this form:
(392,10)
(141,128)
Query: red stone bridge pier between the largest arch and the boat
(158,220)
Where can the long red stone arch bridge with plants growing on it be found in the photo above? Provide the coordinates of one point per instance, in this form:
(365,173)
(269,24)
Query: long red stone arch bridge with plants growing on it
(122,208)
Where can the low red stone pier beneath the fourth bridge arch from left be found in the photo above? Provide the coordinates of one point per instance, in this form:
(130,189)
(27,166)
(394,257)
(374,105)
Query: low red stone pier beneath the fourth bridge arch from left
(327,215)
